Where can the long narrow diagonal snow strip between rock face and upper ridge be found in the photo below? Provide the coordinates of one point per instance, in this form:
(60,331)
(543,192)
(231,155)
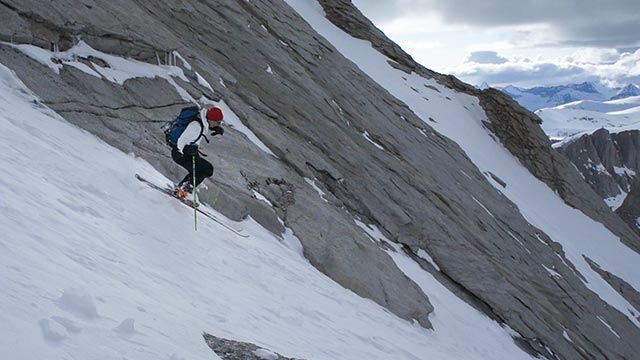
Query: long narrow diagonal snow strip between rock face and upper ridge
(459,117)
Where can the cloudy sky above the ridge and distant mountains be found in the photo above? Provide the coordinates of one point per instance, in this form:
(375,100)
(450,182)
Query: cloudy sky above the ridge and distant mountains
(526,42)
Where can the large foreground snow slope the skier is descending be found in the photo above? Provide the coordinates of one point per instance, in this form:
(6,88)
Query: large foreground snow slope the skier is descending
(96,265)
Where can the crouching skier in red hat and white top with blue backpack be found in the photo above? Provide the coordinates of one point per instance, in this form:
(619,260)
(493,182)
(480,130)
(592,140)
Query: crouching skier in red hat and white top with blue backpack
(184,135)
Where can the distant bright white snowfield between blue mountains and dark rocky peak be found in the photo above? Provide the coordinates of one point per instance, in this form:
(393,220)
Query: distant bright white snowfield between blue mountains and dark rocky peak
(575,119)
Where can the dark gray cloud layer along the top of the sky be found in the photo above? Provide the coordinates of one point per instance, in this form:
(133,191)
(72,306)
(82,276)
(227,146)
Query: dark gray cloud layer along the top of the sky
(574,22)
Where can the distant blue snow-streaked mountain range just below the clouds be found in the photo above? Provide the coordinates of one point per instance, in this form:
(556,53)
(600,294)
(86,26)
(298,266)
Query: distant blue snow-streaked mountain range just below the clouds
(551,96)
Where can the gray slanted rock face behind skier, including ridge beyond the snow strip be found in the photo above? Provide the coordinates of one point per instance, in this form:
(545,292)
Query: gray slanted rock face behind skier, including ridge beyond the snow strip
(311,110)
